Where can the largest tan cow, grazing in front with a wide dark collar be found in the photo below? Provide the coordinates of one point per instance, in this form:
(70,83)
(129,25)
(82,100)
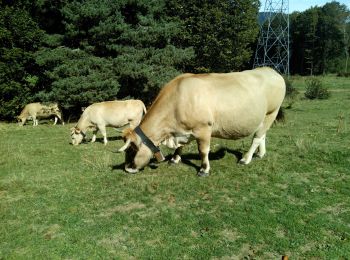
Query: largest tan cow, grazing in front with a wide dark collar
(231,106)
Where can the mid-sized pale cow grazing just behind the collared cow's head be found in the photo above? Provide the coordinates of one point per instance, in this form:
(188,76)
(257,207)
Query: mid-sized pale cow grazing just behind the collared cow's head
(108,113)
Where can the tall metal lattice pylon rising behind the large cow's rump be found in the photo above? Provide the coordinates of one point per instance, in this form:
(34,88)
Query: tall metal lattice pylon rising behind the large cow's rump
(273,44)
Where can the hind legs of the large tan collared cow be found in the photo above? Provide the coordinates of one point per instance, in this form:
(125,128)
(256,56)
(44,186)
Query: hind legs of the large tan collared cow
(259,138)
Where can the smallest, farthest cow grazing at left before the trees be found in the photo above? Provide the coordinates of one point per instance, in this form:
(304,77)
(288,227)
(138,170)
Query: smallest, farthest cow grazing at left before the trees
(39,110)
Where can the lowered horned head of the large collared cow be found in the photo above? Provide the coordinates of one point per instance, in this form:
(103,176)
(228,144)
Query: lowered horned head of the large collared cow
(137,154)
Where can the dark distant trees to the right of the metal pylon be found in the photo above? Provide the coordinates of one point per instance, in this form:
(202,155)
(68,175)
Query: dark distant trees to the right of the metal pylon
(319,39)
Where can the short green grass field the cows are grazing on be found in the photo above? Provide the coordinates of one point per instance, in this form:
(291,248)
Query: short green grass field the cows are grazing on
(60,201)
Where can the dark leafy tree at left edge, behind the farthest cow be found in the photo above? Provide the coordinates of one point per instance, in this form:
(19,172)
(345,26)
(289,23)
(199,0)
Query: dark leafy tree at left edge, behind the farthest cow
(20,37)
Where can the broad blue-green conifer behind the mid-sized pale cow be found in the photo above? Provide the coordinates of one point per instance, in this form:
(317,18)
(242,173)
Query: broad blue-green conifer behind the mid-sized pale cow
(109,50)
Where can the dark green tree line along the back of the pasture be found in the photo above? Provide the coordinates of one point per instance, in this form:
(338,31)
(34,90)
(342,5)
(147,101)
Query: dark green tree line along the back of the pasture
(79,52)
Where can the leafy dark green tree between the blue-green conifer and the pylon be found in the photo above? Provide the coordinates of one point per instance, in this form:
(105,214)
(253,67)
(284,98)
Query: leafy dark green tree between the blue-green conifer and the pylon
(221,32)
